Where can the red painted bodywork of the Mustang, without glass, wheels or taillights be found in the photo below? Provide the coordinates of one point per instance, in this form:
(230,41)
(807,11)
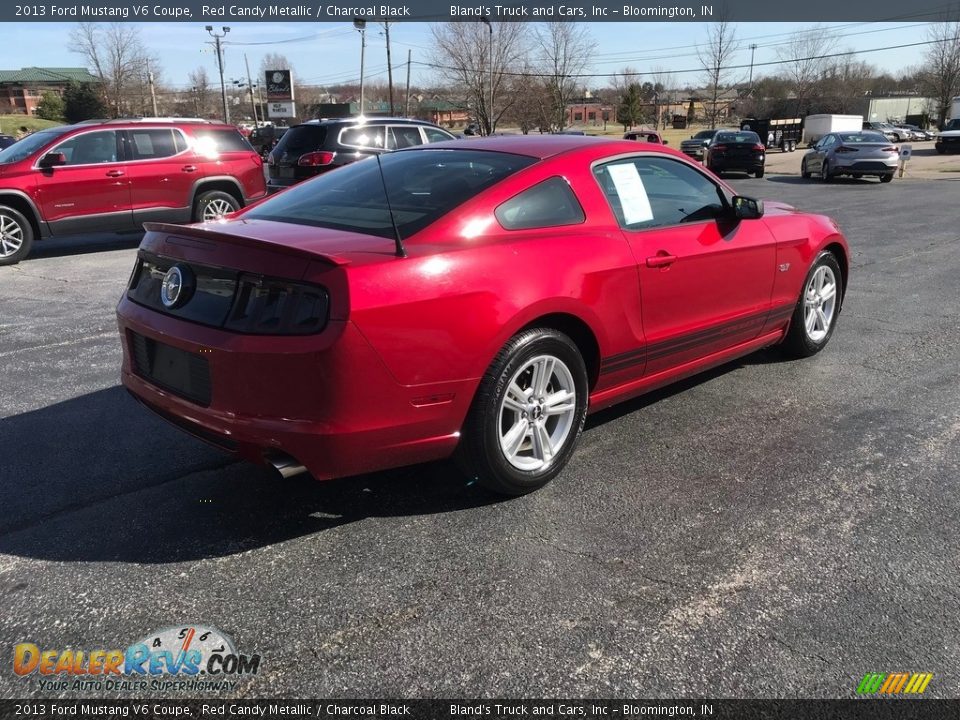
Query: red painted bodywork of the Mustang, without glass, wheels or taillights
(391,379)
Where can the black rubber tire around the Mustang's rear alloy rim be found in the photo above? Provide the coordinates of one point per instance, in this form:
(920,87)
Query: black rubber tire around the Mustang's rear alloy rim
(480,454)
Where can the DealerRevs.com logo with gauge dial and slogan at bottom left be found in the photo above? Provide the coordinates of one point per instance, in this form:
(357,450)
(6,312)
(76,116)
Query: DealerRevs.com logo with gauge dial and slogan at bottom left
(197,657)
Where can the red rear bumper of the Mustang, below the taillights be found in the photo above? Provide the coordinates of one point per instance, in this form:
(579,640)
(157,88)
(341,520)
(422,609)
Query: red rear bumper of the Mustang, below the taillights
(330,404)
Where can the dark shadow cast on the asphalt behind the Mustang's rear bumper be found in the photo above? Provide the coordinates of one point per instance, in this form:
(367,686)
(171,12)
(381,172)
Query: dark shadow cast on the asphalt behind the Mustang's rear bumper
(100,479)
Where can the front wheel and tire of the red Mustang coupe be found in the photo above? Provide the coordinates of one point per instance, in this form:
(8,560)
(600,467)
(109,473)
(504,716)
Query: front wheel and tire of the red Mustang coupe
(815,315)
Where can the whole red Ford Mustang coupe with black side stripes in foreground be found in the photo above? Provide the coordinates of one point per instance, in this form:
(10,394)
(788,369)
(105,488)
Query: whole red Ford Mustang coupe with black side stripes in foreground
(473,299)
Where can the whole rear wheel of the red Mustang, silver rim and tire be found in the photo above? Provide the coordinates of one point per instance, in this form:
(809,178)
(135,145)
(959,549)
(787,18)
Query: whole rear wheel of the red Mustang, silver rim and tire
(527,415)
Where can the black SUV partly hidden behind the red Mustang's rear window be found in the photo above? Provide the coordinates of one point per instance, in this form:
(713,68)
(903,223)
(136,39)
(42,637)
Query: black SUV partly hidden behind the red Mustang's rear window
(321,145)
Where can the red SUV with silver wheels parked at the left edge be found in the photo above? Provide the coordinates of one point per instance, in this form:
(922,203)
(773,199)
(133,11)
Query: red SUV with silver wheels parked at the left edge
(114,175)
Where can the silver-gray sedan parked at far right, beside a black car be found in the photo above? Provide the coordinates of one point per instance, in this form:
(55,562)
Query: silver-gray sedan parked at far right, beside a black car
(851,153)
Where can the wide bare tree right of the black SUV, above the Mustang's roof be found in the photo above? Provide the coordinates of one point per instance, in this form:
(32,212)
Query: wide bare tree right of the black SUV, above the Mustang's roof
(462,58)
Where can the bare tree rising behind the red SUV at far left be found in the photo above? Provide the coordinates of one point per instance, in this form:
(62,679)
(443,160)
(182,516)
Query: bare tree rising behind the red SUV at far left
(116,55)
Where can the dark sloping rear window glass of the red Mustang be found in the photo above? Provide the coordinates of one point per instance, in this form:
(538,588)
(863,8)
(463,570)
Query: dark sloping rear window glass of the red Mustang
(424,185)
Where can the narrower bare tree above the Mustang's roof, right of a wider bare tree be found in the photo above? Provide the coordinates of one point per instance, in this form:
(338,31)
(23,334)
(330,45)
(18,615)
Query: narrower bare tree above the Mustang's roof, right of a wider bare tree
(564,50)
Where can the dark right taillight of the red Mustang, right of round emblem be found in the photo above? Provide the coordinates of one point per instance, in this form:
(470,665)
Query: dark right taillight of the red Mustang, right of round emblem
(263,306)
